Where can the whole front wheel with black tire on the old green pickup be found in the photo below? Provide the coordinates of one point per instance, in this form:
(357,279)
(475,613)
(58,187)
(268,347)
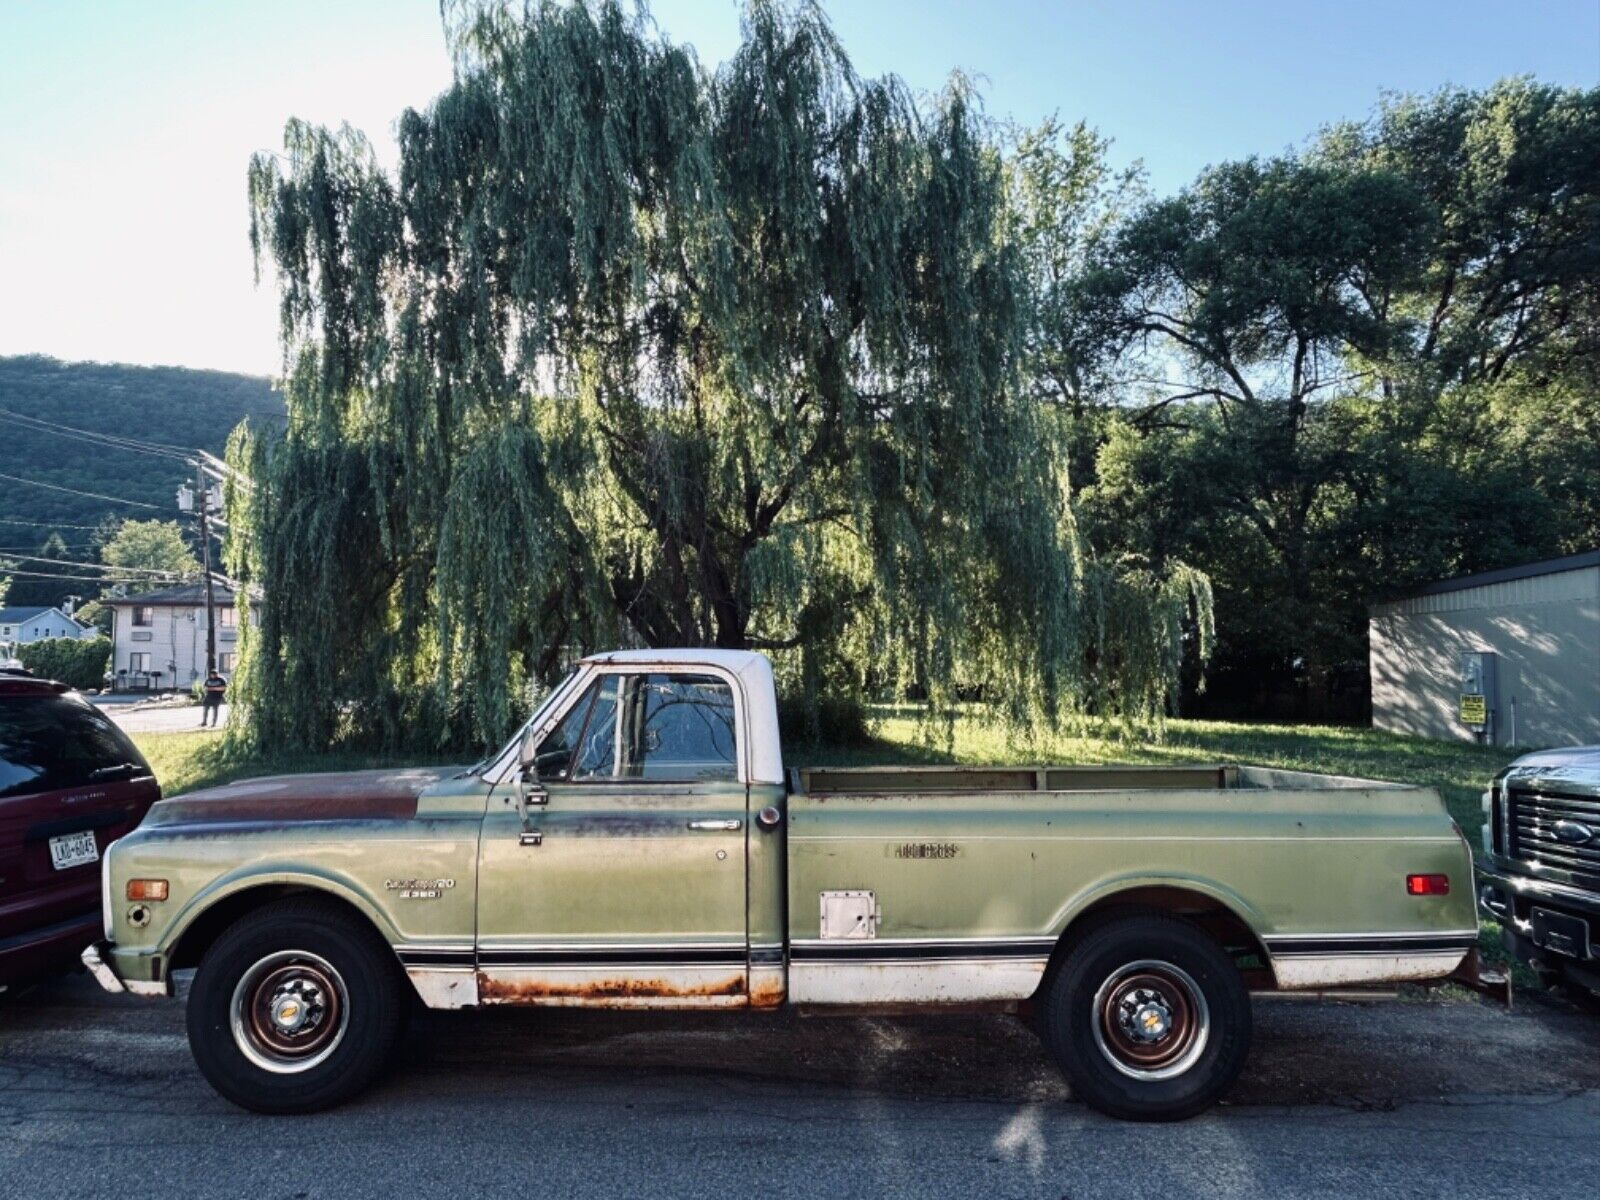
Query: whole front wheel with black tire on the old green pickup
(306,961)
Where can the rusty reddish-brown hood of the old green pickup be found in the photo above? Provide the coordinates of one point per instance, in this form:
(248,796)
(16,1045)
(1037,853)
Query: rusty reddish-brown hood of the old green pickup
(390,794)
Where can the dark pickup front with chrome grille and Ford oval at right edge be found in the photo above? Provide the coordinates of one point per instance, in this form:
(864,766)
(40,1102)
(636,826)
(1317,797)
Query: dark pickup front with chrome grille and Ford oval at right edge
(1542,874)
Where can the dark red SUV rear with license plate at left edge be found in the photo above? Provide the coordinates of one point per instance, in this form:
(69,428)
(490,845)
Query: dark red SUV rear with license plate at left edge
(71,783)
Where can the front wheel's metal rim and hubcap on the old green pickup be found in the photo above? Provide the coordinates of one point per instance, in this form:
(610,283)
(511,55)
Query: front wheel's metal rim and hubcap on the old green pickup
(290,1012)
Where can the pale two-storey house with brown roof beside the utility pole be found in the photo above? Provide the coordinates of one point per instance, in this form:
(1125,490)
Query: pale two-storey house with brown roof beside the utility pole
(158,639)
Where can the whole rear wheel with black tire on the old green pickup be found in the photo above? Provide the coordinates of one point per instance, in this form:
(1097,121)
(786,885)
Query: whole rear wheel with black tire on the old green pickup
(1148,1018)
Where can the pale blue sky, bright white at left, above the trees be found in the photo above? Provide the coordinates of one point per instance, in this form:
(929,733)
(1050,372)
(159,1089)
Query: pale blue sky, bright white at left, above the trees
(126,126)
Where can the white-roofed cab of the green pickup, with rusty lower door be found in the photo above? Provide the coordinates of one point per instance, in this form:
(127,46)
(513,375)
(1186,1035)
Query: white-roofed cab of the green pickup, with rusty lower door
(633,852)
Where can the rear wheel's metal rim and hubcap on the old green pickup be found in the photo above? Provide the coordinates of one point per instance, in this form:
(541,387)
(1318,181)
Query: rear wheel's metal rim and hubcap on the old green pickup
(1151,1020)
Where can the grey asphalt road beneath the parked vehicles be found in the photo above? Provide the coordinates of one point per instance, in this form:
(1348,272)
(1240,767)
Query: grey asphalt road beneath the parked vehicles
(1401,1098)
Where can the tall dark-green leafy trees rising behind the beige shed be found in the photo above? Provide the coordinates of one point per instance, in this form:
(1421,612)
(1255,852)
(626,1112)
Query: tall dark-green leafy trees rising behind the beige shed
(1343,374)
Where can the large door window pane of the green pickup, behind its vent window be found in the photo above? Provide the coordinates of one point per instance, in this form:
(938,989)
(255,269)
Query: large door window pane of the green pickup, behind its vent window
(679,727)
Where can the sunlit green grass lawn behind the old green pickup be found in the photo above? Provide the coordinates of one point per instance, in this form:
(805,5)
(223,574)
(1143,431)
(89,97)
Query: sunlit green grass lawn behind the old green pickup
(1458,770)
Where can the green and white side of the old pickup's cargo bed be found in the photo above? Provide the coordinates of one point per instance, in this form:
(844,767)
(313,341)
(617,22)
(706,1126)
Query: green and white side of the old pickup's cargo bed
(958,882)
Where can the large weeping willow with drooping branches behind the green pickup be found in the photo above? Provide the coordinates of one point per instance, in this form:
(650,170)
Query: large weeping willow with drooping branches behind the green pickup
(633,351)
